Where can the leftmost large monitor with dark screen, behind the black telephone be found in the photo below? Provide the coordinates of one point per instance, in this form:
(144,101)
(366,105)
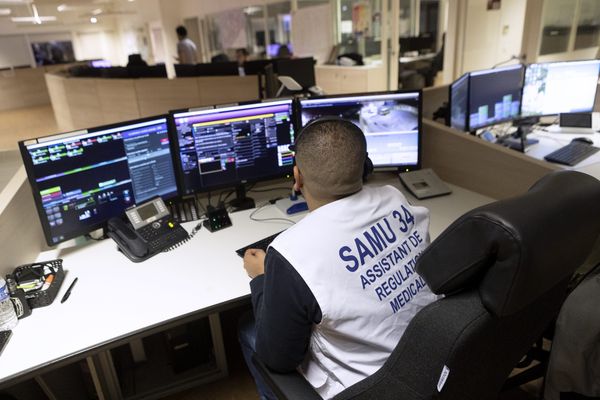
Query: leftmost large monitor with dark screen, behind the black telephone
(82,179)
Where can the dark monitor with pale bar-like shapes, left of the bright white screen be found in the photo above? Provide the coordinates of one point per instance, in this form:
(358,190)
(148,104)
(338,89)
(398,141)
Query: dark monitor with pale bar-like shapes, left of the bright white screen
(494,96)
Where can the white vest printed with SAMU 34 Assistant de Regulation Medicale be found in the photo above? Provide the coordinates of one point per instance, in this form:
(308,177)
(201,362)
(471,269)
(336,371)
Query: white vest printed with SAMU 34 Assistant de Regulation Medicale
(357,255)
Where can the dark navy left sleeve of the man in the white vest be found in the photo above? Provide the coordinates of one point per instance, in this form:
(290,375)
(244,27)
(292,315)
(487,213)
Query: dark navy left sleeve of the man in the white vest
(285,310)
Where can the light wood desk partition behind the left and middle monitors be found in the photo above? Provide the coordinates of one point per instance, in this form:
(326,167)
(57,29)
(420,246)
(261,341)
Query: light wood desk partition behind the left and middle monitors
(79,103)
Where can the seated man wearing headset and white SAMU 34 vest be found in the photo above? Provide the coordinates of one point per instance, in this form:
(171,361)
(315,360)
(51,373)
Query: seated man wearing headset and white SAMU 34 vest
(335,292)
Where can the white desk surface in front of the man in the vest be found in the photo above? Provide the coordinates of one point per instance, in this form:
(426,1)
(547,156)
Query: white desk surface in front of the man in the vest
(115,299)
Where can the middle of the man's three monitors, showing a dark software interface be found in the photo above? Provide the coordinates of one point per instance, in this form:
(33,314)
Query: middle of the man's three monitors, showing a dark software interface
(232,145)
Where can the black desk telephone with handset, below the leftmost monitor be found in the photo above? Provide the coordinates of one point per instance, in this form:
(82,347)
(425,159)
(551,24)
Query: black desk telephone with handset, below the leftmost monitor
(151,231)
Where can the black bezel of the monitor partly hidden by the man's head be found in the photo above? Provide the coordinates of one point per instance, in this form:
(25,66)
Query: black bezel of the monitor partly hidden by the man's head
(403,168)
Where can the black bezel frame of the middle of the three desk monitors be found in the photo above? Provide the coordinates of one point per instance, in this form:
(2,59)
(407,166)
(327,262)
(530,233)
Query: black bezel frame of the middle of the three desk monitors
(174,140)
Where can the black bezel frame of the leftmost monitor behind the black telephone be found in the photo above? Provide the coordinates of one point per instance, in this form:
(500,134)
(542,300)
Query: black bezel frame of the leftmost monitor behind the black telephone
(35,189)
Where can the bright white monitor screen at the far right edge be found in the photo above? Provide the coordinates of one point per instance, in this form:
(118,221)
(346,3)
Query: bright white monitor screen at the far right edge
(560,87)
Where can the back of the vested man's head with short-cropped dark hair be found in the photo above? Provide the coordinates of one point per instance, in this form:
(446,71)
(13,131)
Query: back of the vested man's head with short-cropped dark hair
(330,154)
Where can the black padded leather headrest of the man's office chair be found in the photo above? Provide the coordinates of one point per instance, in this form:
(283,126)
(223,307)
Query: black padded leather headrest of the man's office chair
(515,250)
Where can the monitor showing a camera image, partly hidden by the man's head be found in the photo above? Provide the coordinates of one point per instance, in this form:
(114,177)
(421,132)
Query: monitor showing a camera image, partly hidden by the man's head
(391,122)
